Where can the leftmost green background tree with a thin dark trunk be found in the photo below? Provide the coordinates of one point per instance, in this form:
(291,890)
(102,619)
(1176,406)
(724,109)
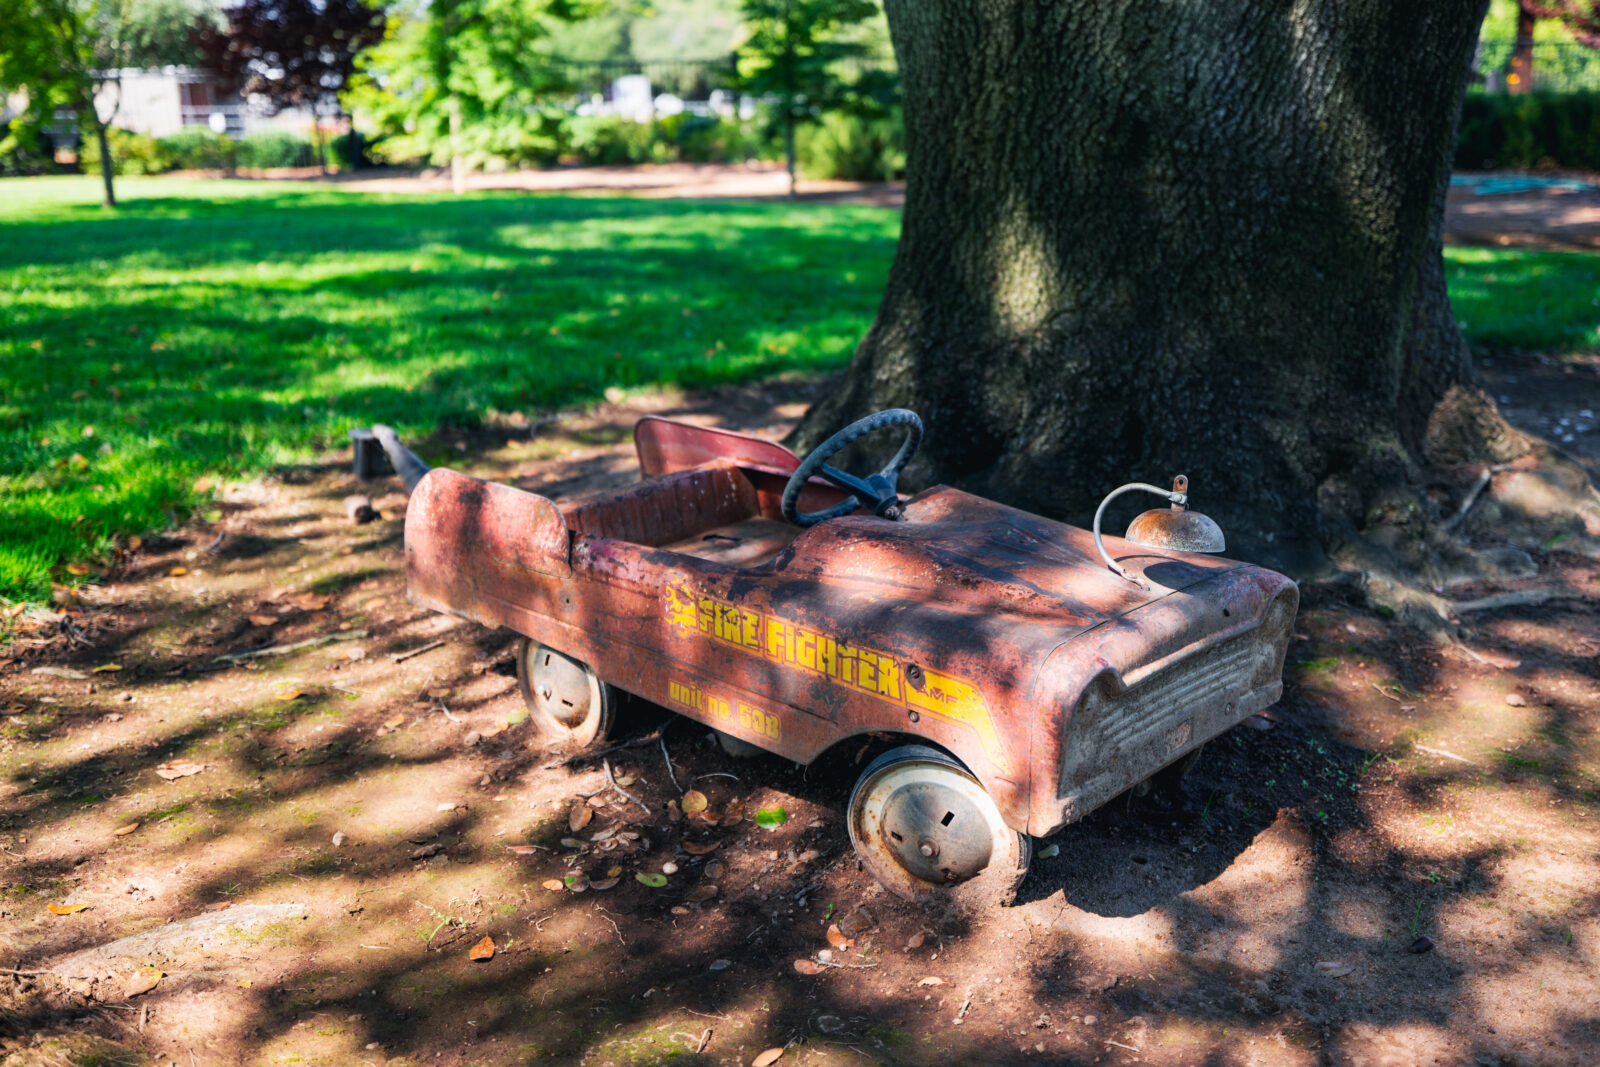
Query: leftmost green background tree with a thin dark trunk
(66,55)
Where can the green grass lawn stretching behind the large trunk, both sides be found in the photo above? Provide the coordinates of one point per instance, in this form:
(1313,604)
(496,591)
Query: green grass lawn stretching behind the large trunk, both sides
(220,329)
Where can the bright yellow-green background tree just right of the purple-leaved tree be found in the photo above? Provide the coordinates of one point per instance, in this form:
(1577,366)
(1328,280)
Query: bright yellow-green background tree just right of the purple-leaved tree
(458,81)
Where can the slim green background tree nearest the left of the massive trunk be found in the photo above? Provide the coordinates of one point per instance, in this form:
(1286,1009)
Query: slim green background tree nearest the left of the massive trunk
(798,52)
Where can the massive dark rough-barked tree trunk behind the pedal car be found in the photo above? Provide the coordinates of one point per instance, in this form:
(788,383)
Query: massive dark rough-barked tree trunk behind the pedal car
(1202,239)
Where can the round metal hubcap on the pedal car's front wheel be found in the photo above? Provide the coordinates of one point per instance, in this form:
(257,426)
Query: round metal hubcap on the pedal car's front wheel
(937,833)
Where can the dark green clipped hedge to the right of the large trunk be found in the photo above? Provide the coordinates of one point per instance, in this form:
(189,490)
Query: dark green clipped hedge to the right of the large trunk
(1530,130)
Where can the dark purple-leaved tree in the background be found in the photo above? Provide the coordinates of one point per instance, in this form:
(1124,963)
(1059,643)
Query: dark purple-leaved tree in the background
(294,54)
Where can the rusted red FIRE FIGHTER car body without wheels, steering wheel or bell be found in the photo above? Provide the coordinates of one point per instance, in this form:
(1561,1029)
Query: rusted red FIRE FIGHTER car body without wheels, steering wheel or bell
(983,629)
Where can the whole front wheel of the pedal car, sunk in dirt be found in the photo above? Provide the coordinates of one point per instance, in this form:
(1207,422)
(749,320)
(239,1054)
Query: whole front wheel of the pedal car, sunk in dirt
(924,826)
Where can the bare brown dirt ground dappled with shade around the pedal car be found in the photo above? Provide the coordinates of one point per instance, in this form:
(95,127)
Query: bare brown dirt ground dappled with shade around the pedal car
(1265,909)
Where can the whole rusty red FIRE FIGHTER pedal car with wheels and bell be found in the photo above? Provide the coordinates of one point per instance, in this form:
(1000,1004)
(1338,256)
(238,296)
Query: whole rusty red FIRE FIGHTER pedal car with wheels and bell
(1028,671)
